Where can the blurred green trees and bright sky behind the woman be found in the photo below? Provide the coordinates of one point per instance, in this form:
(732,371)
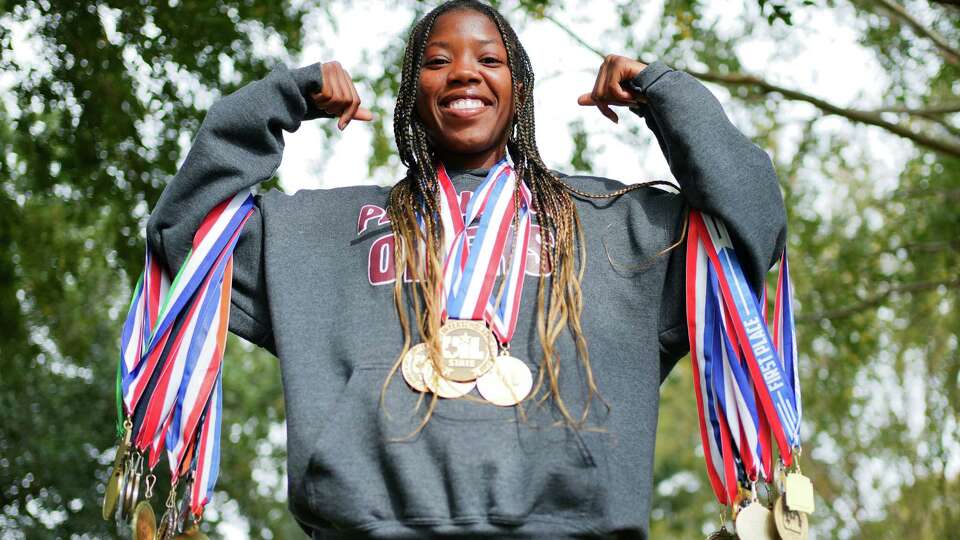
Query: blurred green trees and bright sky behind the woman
(857,102)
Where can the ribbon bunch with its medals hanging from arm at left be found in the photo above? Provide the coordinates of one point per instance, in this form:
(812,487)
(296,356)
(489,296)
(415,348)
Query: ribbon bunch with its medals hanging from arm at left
(169,379)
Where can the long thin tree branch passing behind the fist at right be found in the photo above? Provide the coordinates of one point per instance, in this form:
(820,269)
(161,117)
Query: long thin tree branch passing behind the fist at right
(872,118)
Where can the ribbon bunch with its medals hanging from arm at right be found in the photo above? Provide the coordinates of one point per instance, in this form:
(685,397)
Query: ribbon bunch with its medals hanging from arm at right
(747,386)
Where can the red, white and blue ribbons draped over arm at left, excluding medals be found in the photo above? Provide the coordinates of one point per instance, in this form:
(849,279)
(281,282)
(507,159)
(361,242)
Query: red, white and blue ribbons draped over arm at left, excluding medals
(172,350)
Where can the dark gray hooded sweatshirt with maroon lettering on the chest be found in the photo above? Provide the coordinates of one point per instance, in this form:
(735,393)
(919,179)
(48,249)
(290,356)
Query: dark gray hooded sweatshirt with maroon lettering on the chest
(312,284)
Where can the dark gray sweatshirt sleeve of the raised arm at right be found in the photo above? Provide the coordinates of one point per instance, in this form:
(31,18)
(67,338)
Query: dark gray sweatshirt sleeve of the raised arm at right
(720,172)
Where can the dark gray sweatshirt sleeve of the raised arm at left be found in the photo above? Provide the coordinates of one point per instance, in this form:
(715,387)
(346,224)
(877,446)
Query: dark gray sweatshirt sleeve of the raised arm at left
(239,144)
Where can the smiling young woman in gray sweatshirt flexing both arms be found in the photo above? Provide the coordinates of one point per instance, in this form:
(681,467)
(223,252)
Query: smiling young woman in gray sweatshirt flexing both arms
(601,319)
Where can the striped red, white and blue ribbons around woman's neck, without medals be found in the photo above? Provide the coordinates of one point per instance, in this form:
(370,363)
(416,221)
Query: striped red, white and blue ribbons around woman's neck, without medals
(470,268)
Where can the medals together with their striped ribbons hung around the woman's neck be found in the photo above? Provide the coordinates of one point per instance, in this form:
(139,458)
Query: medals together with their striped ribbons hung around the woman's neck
(468,346)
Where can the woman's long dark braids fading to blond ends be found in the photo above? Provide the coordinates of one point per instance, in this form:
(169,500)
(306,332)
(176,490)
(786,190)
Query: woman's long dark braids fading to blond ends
(559,302)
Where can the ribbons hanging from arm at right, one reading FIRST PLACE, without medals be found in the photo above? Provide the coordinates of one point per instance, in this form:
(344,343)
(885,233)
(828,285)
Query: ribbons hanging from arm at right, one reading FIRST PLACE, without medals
(735,363)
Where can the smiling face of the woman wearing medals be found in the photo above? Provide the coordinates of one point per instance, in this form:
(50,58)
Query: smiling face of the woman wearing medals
(465,94)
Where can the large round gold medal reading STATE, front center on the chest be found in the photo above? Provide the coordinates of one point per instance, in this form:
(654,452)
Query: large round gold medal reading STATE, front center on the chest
(468,349)
